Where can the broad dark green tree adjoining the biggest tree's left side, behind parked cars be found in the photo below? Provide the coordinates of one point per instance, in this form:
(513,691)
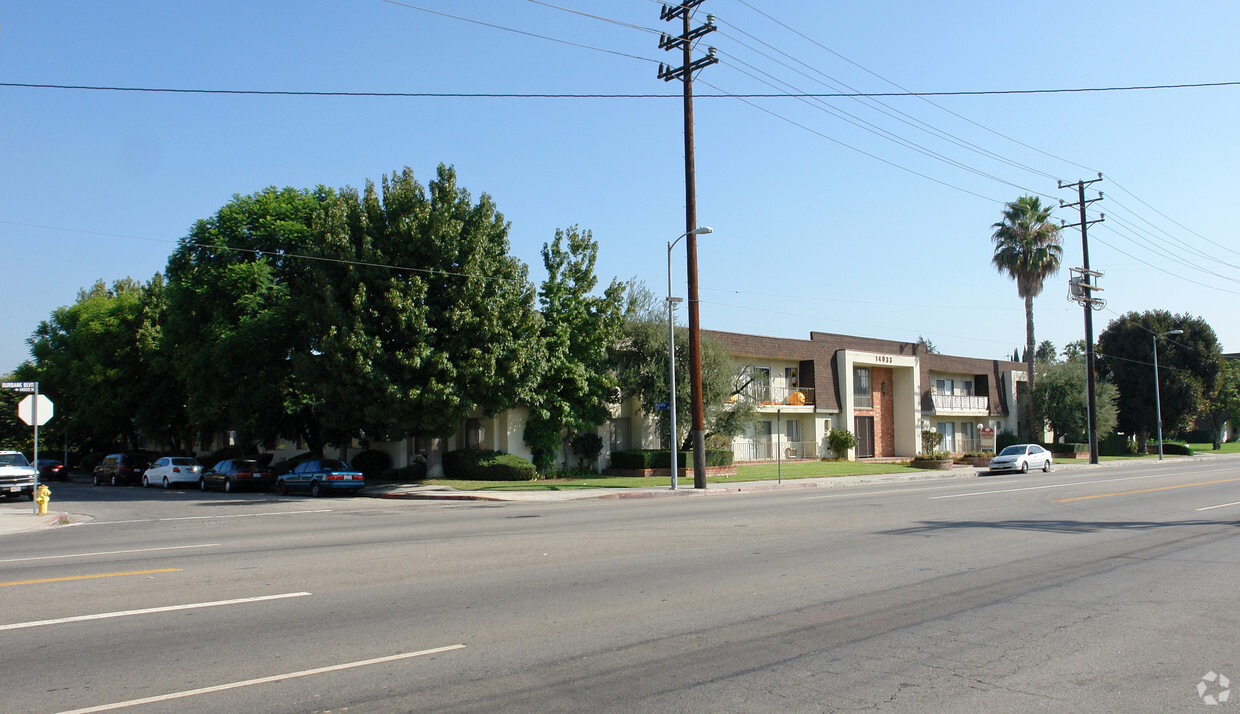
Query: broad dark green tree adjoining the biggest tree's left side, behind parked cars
(241,320)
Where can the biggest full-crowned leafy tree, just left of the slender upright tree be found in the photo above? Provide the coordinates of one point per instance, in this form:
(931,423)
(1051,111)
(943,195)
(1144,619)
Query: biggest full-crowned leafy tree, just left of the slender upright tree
(432,320)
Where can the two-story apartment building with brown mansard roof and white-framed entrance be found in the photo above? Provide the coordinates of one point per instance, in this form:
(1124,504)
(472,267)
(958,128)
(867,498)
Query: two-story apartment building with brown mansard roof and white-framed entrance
(885,392)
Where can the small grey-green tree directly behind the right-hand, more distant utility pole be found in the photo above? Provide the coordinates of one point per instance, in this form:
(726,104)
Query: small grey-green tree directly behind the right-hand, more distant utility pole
(1062,394)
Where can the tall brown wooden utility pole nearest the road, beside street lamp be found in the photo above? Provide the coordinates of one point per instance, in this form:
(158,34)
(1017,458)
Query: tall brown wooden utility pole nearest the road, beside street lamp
(685,73)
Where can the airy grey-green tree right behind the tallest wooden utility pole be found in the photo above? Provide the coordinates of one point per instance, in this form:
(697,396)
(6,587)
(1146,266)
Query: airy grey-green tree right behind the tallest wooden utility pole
(642,363)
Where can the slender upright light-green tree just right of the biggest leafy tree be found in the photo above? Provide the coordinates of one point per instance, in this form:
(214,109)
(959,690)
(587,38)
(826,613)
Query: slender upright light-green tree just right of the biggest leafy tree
(578,386)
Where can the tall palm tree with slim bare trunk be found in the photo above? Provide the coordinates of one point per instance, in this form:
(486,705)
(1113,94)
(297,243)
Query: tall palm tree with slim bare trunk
(1027,249)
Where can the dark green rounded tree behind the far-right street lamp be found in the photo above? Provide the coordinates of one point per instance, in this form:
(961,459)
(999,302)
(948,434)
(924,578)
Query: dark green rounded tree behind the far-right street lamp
(1189,369)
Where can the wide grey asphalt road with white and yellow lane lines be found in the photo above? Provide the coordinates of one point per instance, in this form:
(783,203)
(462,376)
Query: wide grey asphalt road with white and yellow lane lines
(1072,592)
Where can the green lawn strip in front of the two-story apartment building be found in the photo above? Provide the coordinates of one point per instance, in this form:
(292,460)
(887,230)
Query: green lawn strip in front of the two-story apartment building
(747,473)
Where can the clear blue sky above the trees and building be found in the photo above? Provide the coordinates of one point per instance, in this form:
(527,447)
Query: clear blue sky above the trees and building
(819,225)
